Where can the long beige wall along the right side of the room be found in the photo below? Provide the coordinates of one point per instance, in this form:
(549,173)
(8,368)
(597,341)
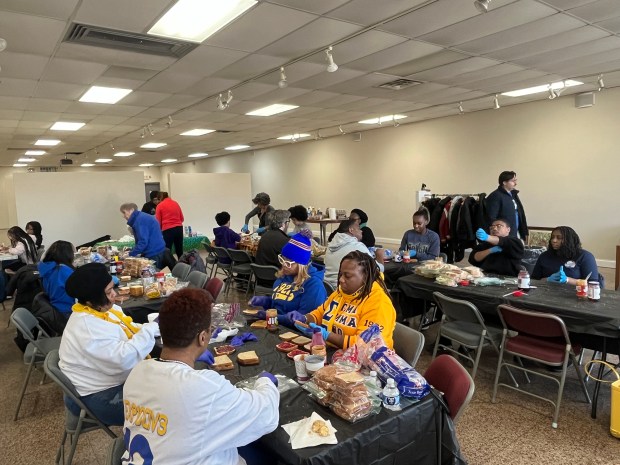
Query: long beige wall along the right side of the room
(566,160)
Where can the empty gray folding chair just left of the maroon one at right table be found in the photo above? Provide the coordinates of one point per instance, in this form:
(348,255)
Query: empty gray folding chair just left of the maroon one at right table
(462,323)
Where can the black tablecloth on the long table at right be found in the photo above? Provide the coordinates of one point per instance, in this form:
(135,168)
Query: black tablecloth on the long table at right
(600,318)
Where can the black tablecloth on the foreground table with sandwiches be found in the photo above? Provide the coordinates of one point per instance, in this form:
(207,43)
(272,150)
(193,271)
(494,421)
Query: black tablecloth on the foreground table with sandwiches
(405,437)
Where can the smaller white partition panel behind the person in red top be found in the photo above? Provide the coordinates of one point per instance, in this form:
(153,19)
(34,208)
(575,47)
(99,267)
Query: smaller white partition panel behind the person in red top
(203,195)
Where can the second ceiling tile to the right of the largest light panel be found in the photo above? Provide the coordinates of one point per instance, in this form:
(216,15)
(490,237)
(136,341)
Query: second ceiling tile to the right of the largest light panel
(318,34)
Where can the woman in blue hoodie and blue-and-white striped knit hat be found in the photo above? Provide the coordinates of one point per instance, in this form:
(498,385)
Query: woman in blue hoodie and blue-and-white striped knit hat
(299,285)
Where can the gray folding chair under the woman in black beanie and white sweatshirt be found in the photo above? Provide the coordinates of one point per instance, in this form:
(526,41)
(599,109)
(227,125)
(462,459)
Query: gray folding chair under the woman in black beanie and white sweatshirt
(74,425)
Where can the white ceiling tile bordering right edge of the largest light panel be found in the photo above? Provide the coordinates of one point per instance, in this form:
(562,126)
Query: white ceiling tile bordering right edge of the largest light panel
(261,26)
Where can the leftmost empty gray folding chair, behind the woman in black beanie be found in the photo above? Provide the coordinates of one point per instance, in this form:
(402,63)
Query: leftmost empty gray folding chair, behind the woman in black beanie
(37,348)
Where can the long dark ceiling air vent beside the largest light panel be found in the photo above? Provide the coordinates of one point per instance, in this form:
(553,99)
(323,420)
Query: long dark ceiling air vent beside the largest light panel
(127,41)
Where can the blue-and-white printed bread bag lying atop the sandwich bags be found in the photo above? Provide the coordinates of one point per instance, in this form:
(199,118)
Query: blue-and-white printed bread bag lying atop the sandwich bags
(378,357)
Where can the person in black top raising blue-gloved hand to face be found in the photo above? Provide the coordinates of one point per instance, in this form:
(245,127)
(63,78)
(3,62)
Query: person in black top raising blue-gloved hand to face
(498,252)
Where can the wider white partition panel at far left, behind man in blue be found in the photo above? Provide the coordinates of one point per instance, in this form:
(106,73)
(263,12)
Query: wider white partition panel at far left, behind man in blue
(77,207)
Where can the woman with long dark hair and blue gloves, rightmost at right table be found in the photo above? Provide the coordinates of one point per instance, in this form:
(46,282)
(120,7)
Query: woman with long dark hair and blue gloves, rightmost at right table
(565,261)
